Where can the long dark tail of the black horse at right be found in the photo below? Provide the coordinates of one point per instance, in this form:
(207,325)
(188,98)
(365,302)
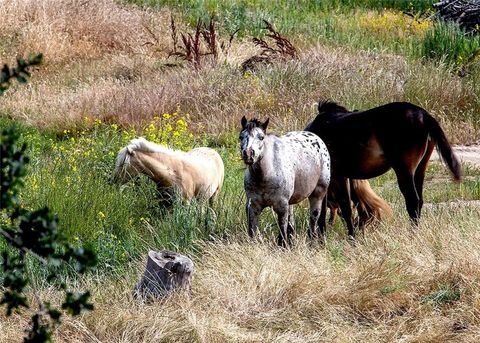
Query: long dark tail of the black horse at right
(443,146)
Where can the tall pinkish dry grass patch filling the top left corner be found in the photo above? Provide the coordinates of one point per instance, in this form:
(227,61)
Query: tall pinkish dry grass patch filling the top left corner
(64,30)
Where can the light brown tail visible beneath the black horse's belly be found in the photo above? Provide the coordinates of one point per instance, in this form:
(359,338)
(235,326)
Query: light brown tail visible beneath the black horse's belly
(374,207)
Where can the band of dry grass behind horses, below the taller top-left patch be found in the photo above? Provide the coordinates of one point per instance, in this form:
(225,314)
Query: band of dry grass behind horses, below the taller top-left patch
(130,90)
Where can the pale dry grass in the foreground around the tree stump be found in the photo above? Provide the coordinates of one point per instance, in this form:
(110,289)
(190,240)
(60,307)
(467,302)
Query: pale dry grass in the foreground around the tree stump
(394,285)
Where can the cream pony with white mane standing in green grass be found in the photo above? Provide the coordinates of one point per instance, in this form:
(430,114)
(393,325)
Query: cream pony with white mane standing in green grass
(198,173)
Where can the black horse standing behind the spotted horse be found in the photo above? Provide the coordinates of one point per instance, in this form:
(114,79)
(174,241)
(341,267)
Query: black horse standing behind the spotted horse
(366,144)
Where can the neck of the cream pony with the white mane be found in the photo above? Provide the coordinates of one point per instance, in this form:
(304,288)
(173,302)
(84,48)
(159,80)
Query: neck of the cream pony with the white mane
(160,167)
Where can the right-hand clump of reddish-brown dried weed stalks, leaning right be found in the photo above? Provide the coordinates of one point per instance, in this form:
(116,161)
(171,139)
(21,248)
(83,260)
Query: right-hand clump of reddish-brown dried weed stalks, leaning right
(282,48)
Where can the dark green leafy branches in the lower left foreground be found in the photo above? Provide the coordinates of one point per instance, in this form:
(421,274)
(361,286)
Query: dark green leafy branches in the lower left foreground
(33,233)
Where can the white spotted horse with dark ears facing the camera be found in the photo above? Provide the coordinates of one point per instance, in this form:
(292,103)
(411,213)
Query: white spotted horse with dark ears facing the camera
(282,171)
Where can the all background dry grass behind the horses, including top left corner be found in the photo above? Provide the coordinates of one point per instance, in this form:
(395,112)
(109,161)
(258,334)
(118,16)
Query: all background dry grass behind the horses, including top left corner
(111,62)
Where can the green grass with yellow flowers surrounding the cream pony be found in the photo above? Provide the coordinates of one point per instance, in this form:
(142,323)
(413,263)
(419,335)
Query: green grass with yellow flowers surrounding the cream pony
(72,172)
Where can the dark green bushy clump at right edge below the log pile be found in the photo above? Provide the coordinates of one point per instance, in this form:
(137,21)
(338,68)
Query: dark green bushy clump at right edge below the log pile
(447,42)
